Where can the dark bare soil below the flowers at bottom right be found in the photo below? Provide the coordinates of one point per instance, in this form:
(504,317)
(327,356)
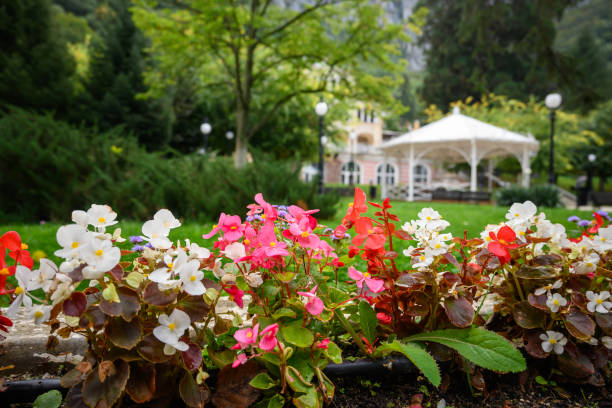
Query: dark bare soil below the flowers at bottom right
(400,390)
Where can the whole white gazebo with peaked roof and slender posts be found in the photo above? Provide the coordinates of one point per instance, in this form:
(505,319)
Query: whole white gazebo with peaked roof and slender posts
(457,138)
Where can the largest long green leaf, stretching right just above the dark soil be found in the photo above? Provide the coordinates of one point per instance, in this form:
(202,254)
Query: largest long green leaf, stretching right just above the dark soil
(482,347)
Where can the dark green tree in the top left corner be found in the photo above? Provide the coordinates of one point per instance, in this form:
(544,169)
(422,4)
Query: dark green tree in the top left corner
(35,66)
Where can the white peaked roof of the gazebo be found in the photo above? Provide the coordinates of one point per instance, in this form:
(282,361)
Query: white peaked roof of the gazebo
(450,139)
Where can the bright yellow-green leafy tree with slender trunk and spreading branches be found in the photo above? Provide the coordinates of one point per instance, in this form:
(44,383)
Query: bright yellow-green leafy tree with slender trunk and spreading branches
(262,54)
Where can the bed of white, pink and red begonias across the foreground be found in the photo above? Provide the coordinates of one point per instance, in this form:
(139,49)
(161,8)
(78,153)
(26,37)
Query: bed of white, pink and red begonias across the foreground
(148,310)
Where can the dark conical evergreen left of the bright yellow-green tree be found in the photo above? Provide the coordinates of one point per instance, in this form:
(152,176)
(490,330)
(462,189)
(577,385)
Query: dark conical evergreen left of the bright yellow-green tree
(115,79)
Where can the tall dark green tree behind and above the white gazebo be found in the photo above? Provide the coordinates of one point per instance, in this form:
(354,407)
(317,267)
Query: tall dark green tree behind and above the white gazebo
(474,47)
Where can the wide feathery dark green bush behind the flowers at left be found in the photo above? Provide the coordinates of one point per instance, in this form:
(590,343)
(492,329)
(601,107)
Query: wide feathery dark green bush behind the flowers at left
(49,168)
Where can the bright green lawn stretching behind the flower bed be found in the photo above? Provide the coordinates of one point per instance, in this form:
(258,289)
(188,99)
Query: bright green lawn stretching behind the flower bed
(472,218)
